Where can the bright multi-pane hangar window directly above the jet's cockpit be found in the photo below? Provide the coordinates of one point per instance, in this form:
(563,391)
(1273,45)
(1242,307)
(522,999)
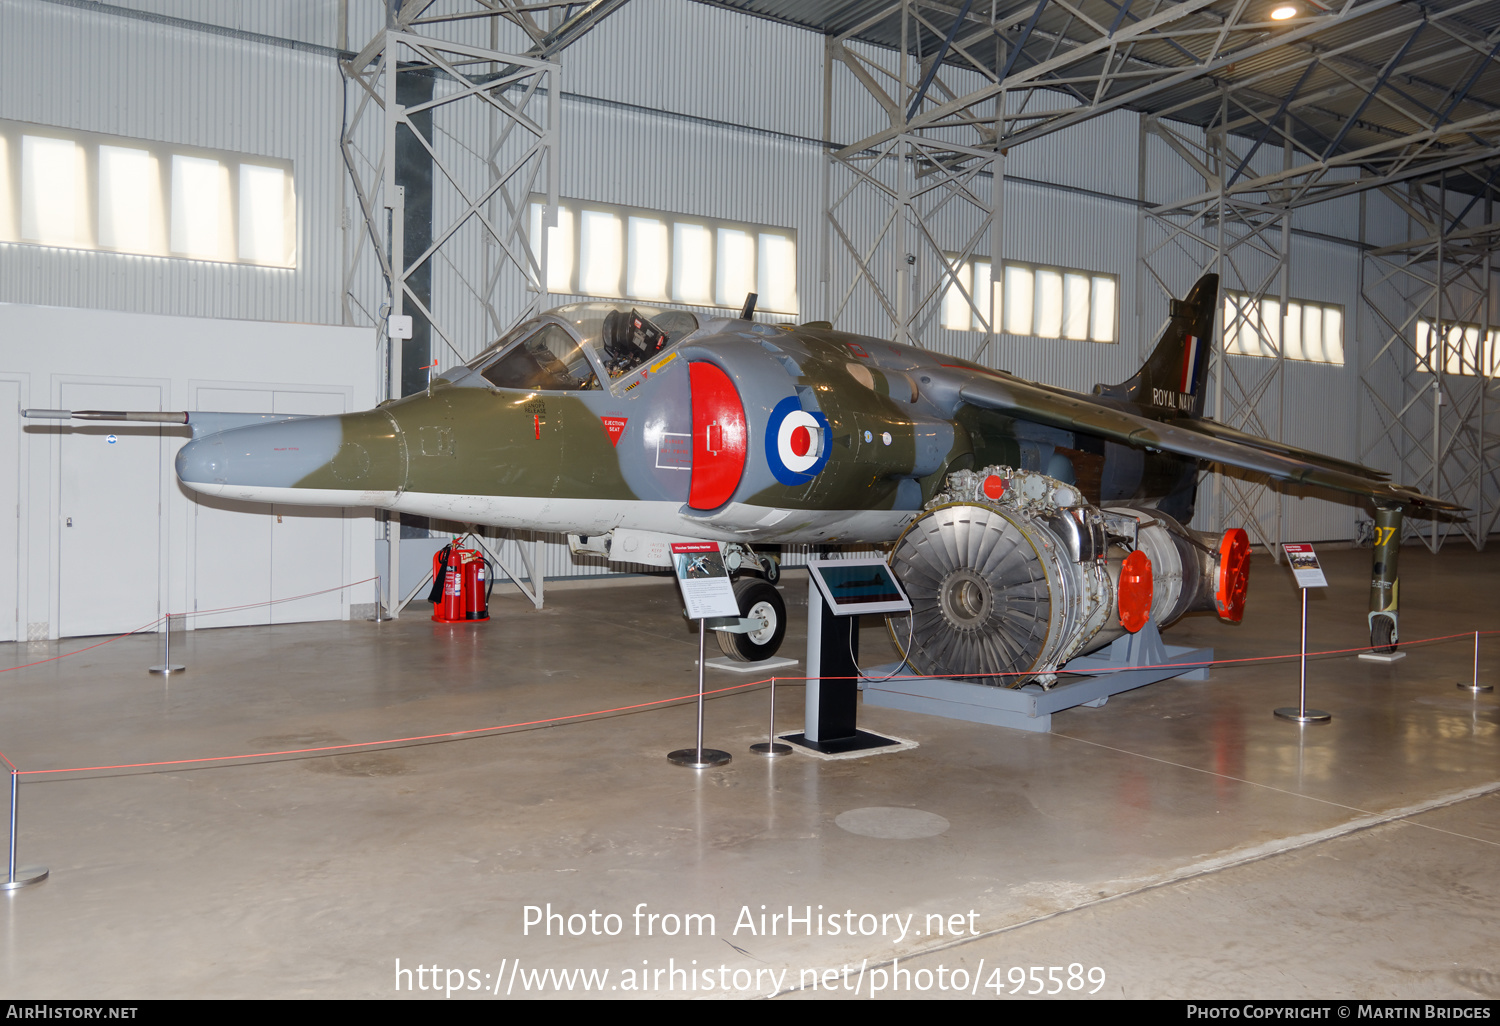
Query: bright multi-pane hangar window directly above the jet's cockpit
(608,251)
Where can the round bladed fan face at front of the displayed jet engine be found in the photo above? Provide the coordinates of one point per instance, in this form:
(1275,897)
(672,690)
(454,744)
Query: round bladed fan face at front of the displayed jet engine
(982,599)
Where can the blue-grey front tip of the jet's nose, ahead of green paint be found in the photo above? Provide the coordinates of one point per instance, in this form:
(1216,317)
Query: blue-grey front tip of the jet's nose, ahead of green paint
(277,455)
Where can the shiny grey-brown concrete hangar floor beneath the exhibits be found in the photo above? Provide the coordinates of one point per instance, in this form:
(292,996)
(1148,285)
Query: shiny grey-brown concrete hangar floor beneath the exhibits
(1180,841)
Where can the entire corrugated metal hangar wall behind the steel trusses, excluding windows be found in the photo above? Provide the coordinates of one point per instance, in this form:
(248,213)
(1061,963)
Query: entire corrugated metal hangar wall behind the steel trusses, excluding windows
(671,106)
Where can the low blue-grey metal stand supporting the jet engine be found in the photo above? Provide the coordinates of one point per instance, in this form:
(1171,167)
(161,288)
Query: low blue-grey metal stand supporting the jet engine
(1130,662)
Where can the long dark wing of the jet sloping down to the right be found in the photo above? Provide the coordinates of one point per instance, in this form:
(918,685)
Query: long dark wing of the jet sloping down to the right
(1064,410)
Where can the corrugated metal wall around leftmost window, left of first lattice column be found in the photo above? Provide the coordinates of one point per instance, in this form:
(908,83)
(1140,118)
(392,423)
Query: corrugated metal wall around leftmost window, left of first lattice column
(74,68)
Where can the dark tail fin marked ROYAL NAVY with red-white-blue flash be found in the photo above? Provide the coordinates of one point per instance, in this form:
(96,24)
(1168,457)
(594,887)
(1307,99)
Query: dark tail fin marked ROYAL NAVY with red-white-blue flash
(1174,376)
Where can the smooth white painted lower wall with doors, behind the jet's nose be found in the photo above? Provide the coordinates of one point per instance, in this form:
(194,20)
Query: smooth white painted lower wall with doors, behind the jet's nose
(140,545)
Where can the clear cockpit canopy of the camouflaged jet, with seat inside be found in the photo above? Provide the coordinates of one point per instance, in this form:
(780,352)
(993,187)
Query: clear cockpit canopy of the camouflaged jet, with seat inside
(572,347)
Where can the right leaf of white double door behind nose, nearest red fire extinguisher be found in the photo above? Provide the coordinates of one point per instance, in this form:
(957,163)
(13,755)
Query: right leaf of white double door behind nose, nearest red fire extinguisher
(308,542)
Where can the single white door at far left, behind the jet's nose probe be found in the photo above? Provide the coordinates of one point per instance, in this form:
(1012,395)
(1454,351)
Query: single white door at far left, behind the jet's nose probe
(110,514)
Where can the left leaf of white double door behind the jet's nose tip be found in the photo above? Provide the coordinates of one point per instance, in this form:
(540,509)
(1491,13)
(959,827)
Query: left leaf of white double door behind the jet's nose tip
(232,547)
